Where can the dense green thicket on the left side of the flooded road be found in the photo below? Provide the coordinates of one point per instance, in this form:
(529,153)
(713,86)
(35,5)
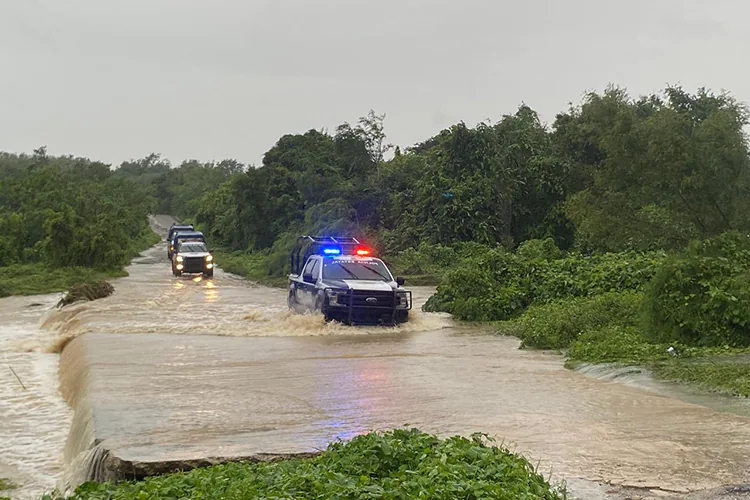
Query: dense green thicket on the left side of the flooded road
(65,220)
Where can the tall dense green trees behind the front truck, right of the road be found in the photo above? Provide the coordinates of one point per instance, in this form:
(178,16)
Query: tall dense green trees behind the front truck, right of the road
(613,174)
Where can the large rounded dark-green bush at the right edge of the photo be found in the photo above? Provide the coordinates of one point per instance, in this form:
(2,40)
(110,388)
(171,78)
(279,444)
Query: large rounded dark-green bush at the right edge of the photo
(701,297)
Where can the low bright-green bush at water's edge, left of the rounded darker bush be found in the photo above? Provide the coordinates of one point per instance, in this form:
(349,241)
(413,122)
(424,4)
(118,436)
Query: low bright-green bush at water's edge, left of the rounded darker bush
(559,324)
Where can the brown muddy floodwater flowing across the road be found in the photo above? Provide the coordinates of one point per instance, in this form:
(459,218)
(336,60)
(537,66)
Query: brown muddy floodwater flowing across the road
(180,368)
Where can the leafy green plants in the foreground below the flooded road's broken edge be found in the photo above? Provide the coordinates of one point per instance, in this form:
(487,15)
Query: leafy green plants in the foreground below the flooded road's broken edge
(398,464)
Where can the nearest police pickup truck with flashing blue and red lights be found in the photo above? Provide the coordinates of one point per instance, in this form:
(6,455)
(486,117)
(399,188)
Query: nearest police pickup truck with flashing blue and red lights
(340,278)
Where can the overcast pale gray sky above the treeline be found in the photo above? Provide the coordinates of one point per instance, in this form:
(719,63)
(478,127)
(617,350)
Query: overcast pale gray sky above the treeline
(213,79)
